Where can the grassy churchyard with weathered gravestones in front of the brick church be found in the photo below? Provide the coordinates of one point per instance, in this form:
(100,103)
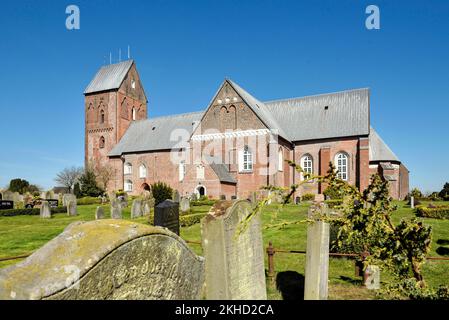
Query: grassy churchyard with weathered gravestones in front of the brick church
(273,258)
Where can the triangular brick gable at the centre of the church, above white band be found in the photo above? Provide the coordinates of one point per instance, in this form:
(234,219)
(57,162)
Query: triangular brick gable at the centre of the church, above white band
(228,111)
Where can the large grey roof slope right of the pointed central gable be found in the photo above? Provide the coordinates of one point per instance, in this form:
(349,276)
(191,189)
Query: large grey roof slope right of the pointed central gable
(307,118)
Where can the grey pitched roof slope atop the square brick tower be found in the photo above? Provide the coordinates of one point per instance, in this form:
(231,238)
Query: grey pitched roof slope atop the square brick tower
(109,77)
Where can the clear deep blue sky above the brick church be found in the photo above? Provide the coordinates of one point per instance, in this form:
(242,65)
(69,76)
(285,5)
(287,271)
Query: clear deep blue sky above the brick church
(184,49)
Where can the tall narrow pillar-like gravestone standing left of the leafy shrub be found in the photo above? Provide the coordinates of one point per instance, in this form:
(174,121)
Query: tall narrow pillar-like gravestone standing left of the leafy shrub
(317,255)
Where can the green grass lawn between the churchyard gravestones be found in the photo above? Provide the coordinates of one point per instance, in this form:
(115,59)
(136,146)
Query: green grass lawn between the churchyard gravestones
(24,234)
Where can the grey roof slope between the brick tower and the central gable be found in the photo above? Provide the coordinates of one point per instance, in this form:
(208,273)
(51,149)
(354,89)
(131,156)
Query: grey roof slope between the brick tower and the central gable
(155,133)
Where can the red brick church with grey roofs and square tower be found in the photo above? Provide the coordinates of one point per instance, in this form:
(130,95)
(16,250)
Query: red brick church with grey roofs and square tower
(237,144)
